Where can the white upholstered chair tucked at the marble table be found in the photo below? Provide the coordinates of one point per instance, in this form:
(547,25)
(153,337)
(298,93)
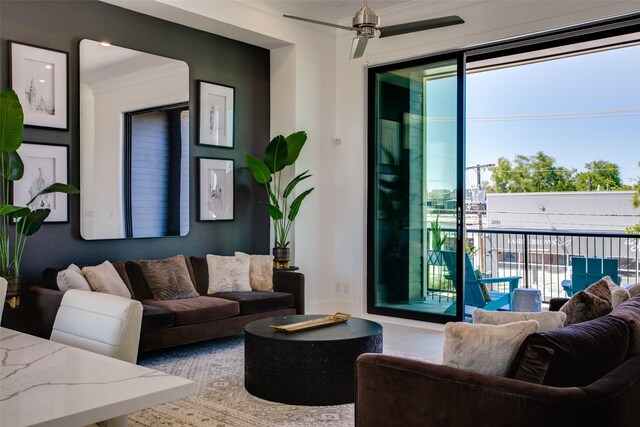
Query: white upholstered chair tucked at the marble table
(101,323)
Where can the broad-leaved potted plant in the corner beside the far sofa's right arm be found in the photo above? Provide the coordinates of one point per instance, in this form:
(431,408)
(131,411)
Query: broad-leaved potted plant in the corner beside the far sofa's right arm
(280,153)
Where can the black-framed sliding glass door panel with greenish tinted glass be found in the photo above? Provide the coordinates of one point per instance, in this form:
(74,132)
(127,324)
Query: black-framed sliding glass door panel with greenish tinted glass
(415,189)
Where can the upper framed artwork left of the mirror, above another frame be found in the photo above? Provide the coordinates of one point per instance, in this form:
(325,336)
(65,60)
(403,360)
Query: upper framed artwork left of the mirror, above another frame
(40,79)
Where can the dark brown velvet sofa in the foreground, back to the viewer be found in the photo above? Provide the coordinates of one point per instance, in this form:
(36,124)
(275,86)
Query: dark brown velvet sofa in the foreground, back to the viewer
(395,391)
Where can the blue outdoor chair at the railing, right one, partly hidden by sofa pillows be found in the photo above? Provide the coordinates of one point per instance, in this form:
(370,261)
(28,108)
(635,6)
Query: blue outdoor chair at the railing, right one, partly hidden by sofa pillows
(586,271)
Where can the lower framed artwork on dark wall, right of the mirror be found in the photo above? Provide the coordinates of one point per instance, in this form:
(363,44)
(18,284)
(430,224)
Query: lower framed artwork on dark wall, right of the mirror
(215,189)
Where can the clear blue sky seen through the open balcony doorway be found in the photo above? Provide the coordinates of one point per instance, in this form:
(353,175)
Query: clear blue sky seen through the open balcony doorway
(576,109)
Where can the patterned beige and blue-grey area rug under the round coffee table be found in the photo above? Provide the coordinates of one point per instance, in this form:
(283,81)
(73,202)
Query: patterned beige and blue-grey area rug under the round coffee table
(221,400)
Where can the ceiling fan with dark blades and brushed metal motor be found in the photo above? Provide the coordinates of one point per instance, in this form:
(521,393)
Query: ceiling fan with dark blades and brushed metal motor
(366,21)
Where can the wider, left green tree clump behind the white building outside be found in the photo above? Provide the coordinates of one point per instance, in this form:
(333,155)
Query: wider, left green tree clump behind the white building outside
(527,174)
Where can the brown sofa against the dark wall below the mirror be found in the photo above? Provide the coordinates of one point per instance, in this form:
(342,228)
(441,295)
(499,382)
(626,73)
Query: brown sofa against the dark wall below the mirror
(181,321)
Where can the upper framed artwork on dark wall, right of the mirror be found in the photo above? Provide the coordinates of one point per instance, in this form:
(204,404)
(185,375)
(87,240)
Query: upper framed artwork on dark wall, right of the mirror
(216,115)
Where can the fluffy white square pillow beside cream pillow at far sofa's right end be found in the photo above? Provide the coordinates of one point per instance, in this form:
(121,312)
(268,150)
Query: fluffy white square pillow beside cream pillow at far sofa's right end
(228,273)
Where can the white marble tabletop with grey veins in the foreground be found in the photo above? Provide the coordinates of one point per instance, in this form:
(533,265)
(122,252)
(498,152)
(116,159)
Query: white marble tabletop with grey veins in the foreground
(46,383)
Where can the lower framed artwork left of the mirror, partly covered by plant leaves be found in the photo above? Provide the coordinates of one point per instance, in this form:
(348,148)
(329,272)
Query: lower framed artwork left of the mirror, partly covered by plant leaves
(44,164)
